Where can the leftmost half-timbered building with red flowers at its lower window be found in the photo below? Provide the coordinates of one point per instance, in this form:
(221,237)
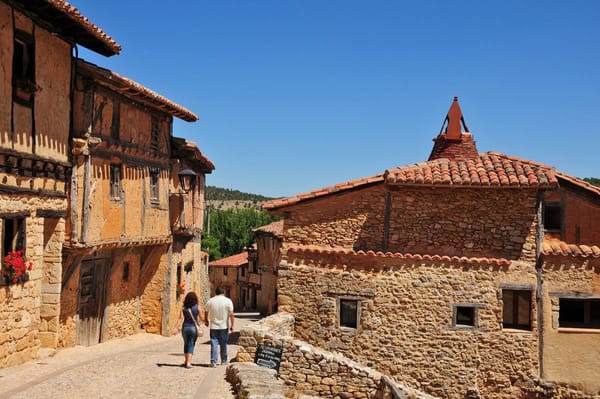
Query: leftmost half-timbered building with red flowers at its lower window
(36,43)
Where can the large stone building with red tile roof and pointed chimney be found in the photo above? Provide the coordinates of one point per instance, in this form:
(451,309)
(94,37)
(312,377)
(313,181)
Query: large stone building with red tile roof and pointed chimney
(467,275)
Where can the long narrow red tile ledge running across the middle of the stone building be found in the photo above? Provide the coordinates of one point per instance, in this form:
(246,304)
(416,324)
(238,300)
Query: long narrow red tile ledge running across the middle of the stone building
(311,249)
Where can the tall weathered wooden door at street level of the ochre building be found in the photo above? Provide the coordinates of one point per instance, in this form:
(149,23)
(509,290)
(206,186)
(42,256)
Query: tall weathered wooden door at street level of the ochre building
(93,284)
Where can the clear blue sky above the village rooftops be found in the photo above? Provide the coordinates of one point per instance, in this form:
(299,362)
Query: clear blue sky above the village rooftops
(294,95)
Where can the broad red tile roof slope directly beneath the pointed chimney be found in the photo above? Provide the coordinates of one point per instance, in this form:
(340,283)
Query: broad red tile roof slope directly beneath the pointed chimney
(488,170)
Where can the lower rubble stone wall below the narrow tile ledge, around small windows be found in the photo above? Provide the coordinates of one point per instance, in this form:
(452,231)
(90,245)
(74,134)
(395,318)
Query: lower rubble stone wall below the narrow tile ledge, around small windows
(406,322)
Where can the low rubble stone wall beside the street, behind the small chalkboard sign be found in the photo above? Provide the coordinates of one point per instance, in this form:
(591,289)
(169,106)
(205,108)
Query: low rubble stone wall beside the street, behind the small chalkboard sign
(307,370)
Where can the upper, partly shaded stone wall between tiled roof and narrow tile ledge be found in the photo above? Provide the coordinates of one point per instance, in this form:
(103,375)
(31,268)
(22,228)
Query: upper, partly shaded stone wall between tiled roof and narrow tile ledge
(443,221)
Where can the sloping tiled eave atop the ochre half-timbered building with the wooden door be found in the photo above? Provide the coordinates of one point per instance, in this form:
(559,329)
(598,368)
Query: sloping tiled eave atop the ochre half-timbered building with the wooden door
(135,91)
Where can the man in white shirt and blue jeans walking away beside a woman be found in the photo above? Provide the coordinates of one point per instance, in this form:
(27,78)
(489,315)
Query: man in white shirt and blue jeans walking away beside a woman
(219,313)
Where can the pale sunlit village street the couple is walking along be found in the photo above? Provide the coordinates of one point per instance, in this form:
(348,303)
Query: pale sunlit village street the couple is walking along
(140,366)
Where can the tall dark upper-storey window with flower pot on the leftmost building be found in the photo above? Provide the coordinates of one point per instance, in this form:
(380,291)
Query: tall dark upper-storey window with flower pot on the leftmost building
(23,64)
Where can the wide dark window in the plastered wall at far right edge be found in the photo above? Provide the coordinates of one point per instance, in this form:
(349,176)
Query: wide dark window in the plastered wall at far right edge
(579,313)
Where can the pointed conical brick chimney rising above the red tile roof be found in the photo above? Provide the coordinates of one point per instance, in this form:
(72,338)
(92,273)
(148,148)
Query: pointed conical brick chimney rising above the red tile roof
(454,140)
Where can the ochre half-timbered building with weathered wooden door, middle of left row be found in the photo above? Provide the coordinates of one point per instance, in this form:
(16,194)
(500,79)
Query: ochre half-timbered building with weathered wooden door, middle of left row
(119,270)
